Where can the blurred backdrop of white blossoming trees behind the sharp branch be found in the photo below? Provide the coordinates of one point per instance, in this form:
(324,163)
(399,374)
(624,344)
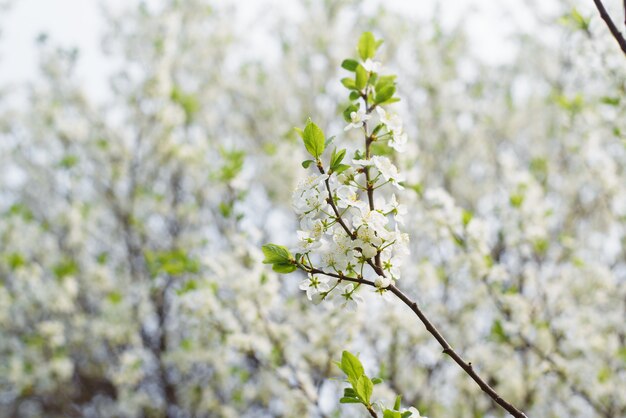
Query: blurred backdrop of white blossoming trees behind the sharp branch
(147,152)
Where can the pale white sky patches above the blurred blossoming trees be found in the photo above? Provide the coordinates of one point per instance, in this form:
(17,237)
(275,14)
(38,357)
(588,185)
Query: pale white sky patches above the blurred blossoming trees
(78,23)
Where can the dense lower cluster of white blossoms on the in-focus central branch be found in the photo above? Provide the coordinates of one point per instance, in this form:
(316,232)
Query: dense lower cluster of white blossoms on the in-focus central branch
(340,233)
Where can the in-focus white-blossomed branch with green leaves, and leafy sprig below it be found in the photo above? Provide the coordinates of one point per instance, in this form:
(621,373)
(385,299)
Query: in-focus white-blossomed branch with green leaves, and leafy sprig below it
(344,237)
